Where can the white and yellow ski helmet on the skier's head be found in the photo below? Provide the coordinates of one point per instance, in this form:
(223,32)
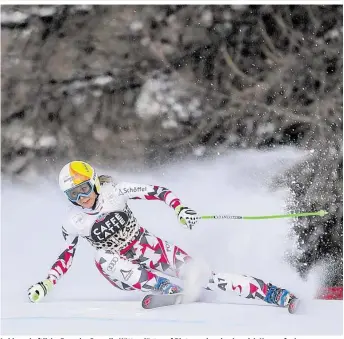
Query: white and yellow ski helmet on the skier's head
(77,179)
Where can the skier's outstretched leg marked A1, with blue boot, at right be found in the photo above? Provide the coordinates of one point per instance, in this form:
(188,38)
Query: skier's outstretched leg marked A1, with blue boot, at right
(250,287)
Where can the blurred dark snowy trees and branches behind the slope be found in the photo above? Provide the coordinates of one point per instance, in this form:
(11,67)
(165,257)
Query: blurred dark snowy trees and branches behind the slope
(138,87)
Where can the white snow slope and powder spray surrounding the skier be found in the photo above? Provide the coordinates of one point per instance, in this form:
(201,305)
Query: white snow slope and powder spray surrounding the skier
(84,303)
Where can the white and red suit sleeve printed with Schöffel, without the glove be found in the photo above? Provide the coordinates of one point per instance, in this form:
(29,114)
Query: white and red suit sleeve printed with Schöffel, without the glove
(148,192)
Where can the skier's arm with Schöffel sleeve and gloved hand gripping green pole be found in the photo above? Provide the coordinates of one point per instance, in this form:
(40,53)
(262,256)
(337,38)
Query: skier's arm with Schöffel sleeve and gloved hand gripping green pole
(186,216)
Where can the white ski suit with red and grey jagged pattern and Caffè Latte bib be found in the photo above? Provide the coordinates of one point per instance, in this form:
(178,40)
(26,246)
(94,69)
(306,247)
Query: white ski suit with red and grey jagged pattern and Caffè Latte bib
(128,255)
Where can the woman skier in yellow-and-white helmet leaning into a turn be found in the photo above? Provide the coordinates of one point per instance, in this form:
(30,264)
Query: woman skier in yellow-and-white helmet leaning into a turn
(128,255)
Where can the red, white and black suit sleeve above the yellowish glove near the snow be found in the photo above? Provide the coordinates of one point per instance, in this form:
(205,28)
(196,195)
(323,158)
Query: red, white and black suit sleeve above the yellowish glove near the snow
(64,261)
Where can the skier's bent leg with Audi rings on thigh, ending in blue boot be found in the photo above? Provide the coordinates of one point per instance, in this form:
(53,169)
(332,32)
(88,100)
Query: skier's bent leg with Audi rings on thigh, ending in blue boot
(128,276)
